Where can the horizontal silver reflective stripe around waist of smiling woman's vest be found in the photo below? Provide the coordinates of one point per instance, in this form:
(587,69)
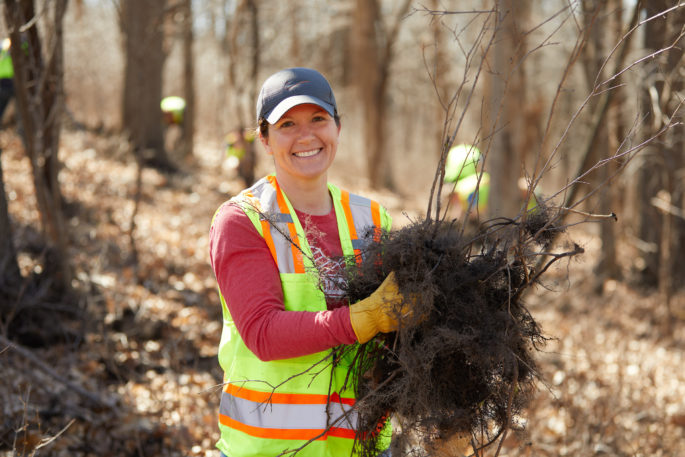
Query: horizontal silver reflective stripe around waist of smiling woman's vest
(287,416)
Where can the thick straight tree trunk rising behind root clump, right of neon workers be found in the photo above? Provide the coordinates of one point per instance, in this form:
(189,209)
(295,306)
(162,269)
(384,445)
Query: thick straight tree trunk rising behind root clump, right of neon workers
(505,158)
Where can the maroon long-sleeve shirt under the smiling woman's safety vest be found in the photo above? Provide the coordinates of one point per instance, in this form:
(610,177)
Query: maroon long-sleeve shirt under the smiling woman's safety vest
(249,281)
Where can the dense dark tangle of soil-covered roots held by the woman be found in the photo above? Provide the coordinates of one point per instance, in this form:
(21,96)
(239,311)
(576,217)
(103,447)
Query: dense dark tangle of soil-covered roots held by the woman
(463,361)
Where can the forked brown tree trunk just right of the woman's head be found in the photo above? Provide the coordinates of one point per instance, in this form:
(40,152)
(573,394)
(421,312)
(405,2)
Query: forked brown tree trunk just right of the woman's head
(374,53)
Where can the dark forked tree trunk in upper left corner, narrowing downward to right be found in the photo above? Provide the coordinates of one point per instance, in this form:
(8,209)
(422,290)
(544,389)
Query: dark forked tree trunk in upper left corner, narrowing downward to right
(40,101)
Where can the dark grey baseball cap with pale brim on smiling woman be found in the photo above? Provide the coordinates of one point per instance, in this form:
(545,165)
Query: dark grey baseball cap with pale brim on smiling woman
(292,87)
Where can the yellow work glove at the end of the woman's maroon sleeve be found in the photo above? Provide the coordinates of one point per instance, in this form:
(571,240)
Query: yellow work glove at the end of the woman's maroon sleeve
(378,312)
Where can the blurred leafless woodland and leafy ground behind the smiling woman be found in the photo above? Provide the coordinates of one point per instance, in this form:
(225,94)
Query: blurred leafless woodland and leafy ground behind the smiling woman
(109,317)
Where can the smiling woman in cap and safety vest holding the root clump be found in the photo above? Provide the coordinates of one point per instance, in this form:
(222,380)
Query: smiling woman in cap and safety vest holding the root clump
(268,248)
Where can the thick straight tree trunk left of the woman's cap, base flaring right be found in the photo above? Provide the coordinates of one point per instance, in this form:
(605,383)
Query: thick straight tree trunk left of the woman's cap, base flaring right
(141,24)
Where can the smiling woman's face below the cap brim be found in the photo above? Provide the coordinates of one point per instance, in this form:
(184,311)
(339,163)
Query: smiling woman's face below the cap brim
(303,143)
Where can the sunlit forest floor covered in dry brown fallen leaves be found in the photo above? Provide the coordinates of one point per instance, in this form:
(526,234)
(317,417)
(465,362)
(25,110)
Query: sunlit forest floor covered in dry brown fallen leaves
(142,336)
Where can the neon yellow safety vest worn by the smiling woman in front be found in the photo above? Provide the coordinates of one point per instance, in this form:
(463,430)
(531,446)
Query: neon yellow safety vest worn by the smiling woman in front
(270,407)
